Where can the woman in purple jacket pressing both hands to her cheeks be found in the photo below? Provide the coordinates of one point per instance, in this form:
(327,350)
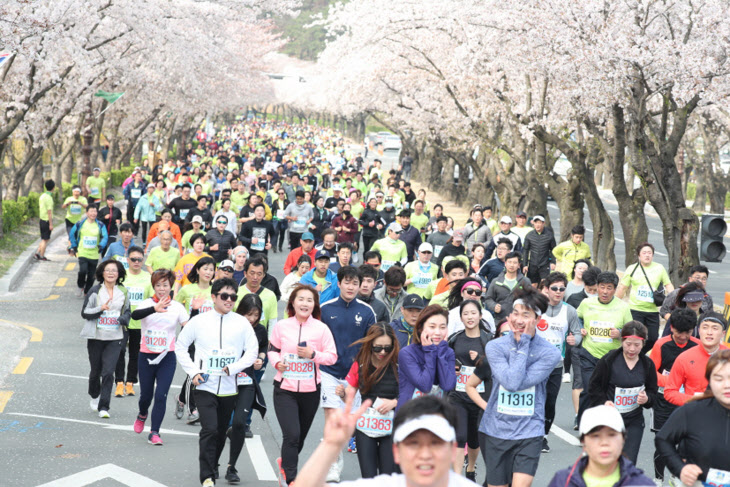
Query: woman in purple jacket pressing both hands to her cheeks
(427,365)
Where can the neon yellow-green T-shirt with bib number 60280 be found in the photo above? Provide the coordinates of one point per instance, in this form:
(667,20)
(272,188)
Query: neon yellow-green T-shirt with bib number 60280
(598,319)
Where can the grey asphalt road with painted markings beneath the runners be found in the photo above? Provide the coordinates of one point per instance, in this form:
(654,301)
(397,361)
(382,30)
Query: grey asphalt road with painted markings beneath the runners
(48,432)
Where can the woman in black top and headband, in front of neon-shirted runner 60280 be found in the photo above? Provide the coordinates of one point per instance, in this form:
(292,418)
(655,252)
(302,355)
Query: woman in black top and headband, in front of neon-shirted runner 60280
(626,379)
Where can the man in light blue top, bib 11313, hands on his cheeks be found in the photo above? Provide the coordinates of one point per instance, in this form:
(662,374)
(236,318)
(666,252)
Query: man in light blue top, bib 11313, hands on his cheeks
(513,424)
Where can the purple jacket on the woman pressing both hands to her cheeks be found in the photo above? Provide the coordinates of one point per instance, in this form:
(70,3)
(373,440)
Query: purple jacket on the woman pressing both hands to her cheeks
(422,367)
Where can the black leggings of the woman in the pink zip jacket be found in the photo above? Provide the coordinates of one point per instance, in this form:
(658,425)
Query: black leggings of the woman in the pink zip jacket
(295,412)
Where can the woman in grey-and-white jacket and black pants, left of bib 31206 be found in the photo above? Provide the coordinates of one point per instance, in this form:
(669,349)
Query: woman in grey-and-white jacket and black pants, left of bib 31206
(106,313)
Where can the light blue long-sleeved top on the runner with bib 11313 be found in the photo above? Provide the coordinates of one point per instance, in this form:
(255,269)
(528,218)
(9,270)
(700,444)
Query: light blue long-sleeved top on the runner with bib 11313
(517,366)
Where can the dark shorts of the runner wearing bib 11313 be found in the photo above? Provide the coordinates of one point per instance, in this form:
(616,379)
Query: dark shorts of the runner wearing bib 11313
(506,457)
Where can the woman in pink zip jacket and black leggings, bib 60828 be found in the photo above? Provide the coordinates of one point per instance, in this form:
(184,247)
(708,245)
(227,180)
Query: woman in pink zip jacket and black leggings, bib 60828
(297,347)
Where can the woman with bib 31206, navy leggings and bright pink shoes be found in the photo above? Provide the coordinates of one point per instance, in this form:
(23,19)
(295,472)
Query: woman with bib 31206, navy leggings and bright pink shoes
(159,317)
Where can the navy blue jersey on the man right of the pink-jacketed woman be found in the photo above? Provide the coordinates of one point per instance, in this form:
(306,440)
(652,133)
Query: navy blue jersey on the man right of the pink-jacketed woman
(348,323)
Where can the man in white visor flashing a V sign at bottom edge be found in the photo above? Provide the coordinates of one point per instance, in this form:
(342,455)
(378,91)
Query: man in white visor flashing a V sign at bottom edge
(424,446)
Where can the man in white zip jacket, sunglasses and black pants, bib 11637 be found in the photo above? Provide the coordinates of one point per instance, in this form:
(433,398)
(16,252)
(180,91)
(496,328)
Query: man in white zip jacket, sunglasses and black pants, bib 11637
(225,344)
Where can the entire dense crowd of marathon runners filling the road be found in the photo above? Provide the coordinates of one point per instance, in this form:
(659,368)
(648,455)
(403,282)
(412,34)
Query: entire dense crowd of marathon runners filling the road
(426,343)
